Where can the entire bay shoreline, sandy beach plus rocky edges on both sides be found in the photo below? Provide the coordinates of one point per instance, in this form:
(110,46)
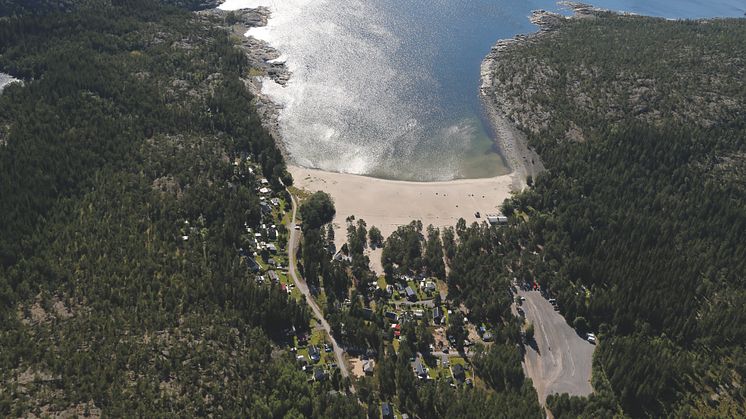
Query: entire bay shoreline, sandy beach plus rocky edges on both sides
(384,203)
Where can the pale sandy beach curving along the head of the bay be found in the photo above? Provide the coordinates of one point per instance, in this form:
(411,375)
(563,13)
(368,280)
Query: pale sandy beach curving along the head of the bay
(388,204)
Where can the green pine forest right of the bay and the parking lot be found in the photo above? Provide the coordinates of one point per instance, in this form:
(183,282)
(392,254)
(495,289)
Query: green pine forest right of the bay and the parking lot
(638,225)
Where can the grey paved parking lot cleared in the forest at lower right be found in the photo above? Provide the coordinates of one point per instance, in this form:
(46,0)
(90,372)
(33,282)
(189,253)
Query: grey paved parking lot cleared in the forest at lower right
(563,362)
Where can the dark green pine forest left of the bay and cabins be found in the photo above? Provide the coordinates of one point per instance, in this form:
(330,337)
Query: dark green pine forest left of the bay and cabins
(124,189)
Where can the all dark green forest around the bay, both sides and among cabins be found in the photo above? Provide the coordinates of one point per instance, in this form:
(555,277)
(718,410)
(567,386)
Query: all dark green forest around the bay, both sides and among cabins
(131,165)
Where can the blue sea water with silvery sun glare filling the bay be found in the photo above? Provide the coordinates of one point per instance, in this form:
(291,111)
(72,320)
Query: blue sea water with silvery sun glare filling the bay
(389,88)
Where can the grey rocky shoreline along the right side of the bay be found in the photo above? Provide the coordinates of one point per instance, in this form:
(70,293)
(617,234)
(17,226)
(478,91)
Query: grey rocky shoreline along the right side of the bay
(513,142)
